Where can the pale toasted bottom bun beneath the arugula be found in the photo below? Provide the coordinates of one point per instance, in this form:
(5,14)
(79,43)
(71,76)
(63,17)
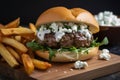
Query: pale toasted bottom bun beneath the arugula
(69,56)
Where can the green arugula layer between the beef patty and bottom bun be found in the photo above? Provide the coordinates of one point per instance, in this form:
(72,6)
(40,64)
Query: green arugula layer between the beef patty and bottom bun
(36,46)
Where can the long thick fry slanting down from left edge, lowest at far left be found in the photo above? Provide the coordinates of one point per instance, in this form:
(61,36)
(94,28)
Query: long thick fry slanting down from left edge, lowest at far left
(7,56)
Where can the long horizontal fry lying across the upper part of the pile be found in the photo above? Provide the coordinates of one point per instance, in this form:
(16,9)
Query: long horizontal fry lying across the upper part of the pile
(16,31)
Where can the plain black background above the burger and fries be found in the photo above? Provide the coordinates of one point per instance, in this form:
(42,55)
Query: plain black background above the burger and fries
(29,10)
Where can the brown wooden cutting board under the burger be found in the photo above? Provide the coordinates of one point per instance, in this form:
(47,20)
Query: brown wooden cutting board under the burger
(64,71)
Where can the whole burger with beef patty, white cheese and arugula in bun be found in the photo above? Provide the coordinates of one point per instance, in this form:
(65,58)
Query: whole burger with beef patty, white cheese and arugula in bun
(65,35)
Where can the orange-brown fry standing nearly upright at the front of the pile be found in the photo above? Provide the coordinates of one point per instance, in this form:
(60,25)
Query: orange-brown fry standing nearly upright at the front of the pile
(28,64)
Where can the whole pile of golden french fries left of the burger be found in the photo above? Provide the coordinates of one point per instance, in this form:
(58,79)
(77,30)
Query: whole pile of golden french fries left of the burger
(13,50)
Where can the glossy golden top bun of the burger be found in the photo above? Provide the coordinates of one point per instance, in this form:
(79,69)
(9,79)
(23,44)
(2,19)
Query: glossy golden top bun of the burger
(63,14)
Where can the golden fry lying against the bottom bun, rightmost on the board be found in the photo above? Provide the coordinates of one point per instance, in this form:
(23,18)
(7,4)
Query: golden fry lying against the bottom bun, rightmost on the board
(41,64)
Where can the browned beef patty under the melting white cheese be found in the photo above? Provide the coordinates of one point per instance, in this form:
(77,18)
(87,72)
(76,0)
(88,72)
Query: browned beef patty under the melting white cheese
(68,40)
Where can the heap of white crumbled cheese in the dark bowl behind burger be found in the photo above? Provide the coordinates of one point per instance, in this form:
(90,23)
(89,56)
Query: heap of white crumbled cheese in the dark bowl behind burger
(107,18)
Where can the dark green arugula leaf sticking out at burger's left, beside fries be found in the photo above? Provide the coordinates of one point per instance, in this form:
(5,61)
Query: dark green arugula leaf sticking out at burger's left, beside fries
(34,45)
